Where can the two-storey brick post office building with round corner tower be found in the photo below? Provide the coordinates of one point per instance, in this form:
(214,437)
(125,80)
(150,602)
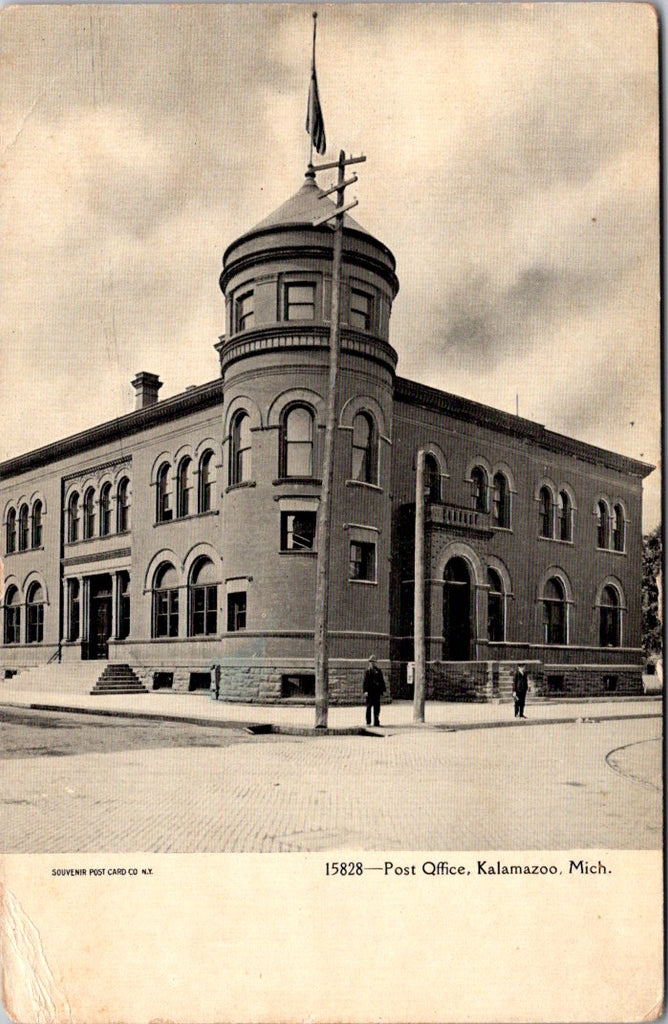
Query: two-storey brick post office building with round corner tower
(182,536)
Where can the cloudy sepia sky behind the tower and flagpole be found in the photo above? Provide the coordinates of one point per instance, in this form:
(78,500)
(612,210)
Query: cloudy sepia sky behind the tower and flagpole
(512,167)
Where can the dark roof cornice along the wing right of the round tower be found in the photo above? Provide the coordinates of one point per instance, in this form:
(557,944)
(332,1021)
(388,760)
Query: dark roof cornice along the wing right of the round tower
(473,412)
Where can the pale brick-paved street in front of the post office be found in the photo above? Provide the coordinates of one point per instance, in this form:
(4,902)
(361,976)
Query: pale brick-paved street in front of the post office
(590,785)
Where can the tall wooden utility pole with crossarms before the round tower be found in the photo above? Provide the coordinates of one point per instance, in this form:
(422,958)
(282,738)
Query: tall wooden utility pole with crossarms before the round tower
(325,510)
